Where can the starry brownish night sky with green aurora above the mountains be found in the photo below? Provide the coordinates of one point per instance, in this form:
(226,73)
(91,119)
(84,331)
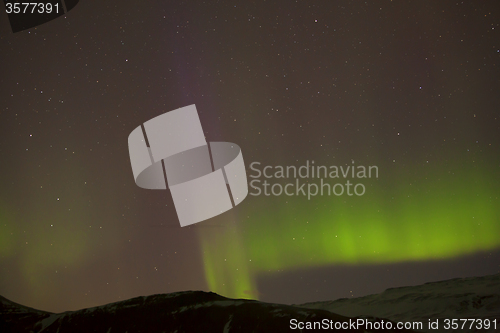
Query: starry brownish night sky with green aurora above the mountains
(412,87)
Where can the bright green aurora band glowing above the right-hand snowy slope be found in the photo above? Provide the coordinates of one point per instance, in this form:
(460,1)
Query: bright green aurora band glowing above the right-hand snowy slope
(446,217)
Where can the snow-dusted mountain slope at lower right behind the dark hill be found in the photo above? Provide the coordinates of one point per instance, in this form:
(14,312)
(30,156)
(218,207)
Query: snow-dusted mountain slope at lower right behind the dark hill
(476,298)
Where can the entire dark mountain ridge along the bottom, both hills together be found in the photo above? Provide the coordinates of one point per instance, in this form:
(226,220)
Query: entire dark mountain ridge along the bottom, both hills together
(199,311)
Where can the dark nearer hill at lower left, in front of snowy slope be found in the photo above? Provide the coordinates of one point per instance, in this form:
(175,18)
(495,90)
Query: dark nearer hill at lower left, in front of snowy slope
(189,311)
